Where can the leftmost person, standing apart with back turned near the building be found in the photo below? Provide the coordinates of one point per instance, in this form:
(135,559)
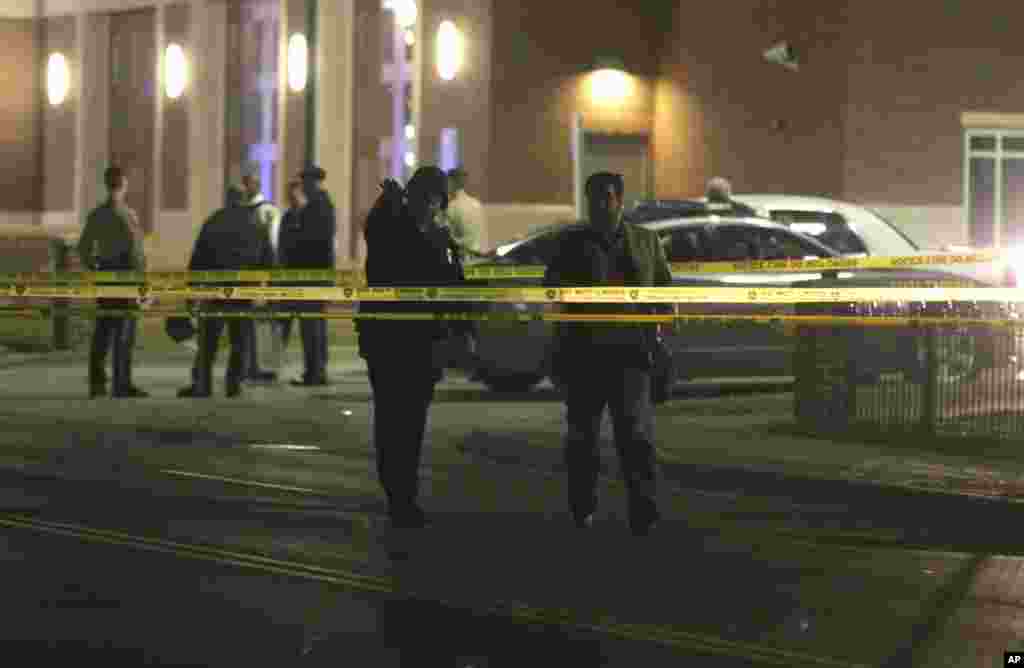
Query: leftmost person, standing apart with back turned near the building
(113,241)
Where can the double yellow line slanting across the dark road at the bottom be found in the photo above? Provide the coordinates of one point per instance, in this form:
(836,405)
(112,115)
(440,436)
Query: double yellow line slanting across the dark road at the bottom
(608,627)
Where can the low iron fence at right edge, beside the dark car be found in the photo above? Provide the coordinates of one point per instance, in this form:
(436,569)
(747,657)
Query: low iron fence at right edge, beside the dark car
(934,381)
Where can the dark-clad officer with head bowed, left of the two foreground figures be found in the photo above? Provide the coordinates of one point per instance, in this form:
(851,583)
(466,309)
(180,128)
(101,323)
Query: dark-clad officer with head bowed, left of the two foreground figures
(407,247)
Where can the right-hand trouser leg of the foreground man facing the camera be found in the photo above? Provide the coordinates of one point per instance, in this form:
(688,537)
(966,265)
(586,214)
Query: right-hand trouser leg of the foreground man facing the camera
(633,423)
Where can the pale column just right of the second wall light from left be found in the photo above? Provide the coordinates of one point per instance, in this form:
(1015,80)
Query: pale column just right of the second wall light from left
(208,21)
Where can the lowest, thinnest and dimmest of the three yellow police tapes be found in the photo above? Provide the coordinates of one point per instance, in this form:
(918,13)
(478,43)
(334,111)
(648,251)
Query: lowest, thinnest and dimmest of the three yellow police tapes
(44,313)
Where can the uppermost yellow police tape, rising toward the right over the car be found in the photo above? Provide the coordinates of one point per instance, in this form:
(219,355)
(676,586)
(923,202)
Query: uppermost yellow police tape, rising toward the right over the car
(357,278)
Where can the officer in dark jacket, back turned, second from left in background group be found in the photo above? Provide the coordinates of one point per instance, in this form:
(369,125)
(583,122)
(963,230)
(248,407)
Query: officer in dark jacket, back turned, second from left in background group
(229,241)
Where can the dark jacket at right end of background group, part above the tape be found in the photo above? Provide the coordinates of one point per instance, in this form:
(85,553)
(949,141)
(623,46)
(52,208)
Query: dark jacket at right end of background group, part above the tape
(307,237)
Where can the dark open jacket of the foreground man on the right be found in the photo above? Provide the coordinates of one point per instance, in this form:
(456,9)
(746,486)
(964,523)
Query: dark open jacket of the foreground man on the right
(584,260)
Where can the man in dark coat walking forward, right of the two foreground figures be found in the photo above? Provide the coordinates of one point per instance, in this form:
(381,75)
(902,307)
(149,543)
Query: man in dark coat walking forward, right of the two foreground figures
(609,364)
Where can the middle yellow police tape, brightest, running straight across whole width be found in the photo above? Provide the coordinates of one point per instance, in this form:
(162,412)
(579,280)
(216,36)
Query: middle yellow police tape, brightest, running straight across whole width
(617,296)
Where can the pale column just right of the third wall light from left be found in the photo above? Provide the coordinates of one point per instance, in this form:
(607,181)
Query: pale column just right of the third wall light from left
(334,129)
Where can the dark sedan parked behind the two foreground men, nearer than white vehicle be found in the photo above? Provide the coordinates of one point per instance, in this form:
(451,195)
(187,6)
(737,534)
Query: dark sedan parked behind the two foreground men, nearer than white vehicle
(515,355)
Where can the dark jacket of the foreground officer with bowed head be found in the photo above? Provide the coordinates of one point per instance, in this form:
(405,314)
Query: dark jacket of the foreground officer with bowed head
(400,255)
